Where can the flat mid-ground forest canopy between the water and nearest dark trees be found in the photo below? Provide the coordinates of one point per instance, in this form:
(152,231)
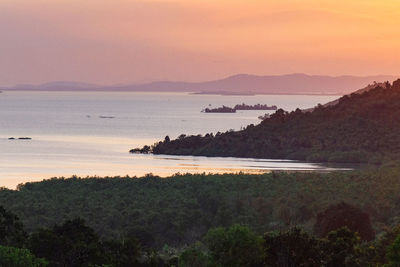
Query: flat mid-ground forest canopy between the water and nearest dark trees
(179,210)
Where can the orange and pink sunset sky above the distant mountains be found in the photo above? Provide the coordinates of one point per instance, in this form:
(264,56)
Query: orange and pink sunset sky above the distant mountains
(130,41)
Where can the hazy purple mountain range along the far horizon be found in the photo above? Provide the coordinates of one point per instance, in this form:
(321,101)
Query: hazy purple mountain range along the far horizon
(241,84)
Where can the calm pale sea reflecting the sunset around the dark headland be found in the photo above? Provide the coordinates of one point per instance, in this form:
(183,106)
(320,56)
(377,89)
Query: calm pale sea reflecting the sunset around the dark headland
(90,133)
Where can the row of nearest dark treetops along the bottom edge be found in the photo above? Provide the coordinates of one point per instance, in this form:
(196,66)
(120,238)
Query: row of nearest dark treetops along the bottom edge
(75,244)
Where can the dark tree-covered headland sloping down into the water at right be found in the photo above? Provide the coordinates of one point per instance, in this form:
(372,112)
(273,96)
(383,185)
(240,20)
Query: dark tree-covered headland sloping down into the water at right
(359,128)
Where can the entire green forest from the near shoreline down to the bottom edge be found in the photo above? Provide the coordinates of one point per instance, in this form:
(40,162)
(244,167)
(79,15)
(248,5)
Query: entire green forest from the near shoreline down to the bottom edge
(188,218)
